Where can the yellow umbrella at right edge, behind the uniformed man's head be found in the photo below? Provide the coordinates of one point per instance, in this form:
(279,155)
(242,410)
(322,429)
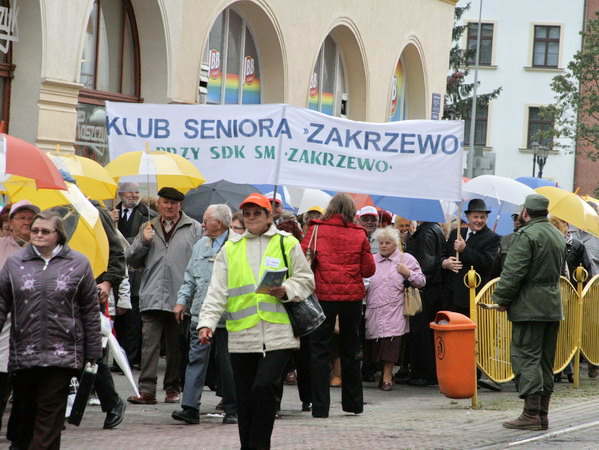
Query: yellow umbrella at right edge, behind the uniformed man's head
(571,208)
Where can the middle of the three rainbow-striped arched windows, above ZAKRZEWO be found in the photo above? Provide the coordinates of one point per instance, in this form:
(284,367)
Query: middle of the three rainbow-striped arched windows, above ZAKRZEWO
(328,91)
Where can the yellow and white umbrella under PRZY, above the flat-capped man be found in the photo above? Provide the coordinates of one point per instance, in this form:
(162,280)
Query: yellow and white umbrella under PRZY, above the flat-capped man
(165,169)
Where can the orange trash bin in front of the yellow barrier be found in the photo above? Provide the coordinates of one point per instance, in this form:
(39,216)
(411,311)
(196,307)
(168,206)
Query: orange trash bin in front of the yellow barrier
(454,347)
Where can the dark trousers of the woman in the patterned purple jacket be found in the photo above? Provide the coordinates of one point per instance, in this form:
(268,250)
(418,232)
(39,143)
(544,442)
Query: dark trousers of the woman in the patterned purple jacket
(40,395)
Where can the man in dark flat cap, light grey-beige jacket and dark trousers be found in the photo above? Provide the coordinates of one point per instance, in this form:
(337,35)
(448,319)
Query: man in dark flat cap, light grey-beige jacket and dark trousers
(162,248)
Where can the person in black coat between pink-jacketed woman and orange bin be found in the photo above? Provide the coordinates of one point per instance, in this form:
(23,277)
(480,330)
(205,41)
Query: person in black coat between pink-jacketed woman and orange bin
(426,245)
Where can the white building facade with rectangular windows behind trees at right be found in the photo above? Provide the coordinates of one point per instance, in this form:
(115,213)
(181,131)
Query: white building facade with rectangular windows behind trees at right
(523,46)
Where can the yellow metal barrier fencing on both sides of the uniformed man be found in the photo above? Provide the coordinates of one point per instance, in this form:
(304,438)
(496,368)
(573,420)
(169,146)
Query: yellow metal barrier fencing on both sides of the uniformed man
(494,330)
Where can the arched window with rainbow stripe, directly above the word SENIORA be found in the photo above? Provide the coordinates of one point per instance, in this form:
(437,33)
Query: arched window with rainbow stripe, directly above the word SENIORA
(231,66)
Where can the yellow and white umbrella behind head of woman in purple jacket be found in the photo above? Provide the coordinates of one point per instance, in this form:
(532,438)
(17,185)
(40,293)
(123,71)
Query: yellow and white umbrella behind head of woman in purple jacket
(81,219)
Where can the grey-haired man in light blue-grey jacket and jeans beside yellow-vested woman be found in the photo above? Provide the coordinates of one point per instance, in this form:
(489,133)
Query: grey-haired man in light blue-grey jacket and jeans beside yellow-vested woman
(198,274)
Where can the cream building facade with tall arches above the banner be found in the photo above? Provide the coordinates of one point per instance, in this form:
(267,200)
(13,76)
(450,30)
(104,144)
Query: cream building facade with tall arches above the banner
(365,60)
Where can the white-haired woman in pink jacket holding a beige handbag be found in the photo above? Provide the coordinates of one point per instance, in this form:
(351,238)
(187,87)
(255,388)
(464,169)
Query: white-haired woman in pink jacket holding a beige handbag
(386,324)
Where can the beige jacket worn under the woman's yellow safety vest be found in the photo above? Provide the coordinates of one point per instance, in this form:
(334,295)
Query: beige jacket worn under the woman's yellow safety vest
(265,336)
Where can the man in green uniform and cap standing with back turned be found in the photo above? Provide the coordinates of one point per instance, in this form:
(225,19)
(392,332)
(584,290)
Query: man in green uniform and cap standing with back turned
(529,291)
